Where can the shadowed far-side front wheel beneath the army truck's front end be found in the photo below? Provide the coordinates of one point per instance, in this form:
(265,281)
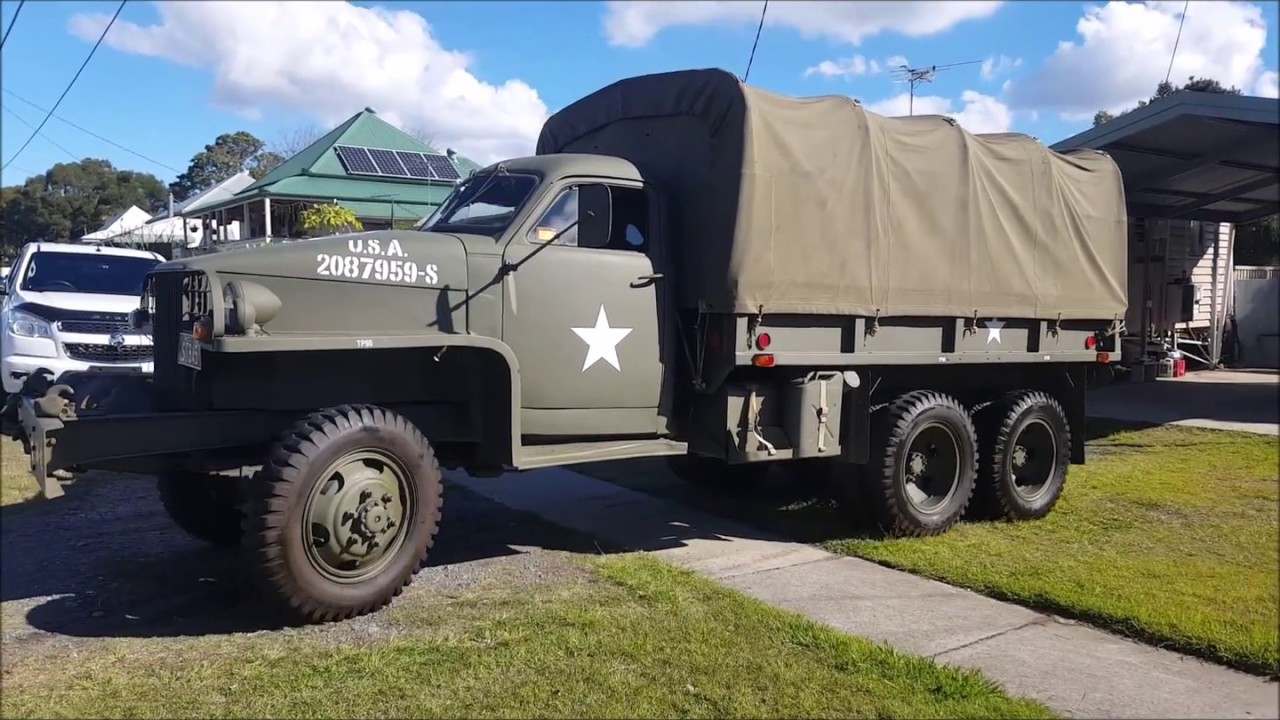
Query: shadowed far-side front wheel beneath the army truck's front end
(207,508)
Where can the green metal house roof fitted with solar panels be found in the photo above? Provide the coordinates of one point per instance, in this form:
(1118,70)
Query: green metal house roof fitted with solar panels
(317,174)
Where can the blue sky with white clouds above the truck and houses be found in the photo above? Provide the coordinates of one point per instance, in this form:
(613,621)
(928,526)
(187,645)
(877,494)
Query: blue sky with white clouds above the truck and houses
(483,76)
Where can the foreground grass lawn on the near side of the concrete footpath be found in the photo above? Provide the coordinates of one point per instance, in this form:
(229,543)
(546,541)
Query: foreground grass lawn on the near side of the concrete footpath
(632,637)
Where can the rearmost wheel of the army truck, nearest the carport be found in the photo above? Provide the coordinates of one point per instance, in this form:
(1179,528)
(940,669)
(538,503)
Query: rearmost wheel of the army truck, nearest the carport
(1026,453)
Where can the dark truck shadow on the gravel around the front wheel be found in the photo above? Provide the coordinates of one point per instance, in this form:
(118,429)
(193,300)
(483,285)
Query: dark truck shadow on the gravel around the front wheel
(107,562)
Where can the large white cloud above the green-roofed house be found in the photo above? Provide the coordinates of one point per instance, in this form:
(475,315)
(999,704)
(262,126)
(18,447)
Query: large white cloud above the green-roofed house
(335,60)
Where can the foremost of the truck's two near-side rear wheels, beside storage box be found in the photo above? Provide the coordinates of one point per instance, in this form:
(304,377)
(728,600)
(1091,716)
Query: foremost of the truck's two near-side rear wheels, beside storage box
(929,458)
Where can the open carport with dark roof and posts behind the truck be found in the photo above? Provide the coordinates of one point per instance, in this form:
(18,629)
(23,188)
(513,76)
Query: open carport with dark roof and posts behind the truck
(1195,157)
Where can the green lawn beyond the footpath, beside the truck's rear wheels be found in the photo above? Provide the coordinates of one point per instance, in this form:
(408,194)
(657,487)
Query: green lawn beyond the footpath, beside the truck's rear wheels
(1168,535)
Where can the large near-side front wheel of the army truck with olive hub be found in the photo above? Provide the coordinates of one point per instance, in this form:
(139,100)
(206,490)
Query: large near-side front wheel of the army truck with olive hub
(344,513)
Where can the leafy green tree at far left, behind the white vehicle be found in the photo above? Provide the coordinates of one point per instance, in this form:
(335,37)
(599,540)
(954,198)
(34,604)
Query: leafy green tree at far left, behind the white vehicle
(72,199)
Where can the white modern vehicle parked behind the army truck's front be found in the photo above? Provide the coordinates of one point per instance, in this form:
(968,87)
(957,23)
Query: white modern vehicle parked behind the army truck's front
(67,308)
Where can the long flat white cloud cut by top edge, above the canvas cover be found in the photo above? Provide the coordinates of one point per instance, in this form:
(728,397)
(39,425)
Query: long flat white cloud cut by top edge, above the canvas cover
(633,24)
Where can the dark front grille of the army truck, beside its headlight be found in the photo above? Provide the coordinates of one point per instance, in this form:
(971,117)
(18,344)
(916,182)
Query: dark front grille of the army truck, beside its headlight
(173,300)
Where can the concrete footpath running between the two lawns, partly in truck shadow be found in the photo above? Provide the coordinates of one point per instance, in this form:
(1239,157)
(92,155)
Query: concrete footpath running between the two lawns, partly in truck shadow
(1075,669)
